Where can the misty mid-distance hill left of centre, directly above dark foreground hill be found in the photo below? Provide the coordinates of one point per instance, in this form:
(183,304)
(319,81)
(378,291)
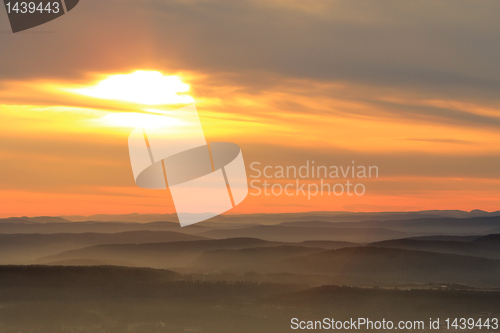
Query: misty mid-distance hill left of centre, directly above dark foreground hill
(156,255)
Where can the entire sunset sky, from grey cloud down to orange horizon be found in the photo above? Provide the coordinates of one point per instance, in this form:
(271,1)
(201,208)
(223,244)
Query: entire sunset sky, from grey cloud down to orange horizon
(408,86)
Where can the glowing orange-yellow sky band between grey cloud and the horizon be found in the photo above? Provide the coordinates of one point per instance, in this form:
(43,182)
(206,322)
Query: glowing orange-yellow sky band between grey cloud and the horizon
(71,157)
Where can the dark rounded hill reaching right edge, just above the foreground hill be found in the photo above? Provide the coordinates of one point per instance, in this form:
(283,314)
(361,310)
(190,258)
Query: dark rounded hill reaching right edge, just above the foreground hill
(383,266)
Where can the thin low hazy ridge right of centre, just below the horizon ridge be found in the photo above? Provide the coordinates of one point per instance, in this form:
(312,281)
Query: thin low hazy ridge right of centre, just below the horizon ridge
(300,234)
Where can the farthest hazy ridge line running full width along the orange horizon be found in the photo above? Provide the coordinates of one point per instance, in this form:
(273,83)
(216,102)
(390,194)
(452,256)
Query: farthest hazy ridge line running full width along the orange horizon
(272,226)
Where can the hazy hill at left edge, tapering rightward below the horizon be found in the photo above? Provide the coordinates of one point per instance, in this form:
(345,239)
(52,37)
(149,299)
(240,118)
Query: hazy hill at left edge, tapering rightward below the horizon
(22,248)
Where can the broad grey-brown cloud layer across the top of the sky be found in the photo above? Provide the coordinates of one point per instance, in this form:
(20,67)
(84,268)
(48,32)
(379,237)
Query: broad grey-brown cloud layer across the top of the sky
(446,47)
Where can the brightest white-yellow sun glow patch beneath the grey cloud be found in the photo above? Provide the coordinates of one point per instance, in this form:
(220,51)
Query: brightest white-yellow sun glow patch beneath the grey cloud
(141,87)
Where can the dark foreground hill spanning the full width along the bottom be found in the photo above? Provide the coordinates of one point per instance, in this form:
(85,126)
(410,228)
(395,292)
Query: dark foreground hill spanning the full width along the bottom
(118,299)
